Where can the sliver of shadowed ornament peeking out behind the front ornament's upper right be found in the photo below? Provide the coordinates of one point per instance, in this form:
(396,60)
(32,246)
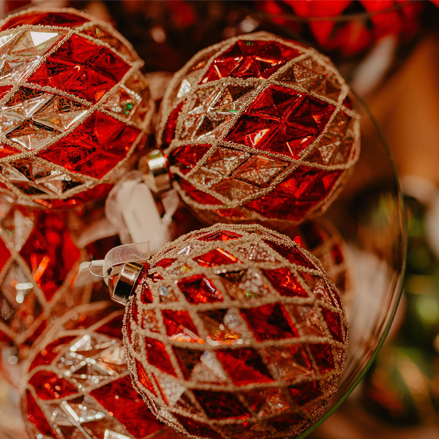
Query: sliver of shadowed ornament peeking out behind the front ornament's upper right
(323,240)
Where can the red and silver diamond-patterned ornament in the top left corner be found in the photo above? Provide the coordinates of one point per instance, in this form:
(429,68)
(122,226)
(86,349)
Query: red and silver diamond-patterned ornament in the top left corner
(74,107)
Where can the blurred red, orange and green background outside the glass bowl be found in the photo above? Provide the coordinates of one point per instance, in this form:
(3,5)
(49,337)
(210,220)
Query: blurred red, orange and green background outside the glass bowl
(389,52)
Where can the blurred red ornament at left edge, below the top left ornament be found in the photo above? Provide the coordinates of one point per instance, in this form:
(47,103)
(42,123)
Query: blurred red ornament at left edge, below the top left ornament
(38,264)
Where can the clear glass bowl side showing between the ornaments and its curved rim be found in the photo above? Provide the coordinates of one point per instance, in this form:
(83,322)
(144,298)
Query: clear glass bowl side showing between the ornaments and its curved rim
(370,216)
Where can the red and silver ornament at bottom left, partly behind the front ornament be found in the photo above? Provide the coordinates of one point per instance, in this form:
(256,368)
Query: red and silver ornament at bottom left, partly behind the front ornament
(78,385)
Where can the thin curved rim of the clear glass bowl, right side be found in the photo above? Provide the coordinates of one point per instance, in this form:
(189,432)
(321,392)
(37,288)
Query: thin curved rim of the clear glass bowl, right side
(398,286)
